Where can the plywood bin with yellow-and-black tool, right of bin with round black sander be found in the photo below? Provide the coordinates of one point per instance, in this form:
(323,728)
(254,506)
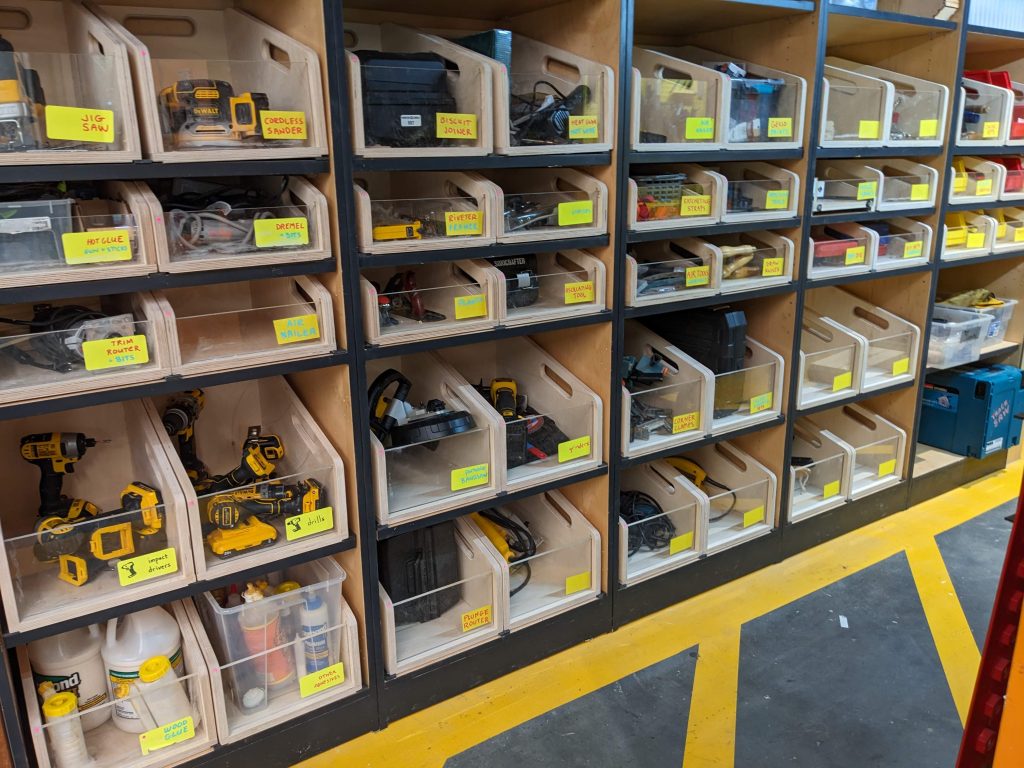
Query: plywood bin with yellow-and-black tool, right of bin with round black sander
(570,409)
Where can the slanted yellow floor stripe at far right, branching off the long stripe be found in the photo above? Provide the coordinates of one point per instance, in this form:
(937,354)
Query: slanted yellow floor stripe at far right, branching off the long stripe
(951,631)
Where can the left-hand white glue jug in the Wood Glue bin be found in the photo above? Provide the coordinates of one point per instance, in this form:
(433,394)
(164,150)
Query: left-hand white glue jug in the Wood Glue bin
(73,662)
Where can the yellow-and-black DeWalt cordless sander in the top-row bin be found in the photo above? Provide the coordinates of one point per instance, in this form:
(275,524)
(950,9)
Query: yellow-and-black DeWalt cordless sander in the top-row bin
(206,113)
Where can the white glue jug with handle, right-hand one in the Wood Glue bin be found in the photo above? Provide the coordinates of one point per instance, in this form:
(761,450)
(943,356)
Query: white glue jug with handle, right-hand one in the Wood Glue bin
(132,641)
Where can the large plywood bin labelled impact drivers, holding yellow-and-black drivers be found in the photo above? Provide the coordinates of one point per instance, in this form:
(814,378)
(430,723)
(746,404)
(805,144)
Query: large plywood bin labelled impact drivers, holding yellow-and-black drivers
(130,450)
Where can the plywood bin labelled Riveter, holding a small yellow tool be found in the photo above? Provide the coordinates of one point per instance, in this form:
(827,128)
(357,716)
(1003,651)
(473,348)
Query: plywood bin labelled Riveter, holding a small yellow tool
(405,212)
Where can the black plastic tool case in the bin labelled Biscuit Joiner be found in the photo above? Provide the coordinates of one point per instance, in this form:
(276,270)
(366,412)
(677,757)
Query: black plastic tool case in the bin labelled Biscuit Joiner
(402,96)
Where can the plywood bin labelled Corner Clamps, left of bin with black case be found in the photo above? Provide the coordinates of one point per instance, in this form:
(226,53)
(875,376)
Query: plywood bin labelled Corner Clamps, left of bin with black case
(674,412)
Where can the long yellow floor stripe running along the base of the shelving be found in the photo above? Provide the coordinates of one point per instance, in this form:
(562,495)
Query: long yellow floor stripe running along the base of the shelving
(426,739)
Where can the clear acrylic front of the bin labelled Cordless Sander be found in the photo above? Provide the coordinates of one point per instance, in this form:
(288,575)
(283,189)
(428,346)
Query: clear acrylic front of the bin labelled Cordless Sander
(232,105)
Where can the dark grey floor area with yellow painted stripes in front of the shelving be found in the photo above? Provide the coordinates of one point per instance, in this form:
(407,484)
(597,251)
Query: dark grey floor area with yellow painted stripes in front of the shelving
(861,653)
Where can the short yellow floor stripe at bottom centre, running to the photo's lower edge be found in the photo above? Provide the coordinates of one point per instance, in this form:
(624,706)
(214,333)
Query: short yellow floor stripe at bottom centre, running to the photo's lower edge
(711,730)
